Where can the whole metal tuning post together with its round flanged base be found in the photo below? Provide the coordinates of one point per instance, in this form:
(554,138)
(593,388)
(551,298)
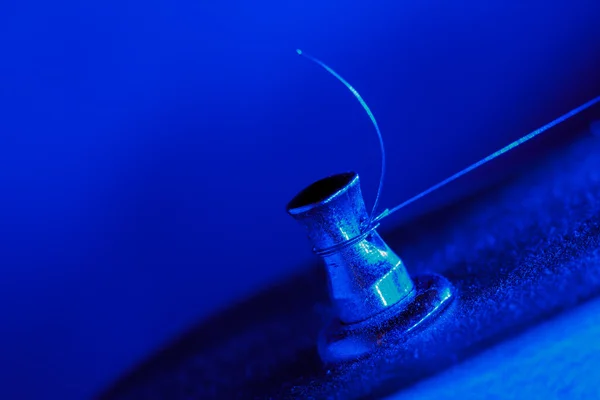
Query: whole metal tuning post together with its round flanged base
(369,286)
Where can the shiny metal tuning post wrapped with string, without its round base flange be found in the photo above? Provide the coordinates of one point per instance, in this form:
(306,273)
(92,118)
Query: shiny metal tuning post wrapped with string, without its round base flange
(365,276)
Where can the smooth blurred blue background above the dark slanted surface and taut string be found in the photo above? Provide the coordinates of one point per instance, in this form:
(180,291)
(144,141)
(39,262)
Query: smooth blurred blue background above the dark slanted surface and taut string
(148,149)
